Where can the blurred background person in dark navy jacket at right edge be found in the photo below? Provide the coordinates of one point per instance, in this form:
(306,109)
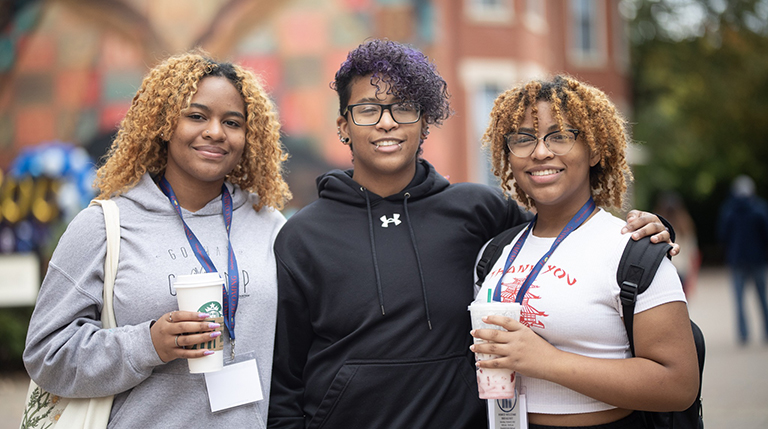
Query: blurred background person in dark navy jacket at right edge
(743,230)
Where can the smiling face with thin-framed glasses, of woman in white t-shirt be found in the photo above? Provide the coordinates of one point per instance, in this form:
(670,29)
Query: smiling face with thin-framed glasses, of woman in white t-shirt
(554,182)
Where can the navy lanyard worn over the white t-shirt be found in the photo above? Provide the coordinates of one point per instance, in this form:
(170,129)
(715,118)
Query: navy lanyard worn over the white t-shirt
(574,223)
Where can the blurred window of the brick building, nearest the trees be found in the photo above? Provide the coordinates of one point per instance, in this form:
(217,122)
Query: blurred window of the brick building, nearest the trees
(588,32)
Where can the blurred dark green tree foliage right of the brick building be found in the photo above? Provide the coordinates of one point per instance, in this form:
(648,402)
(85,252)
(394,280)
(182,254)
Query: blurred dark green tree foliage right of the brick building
(700,76)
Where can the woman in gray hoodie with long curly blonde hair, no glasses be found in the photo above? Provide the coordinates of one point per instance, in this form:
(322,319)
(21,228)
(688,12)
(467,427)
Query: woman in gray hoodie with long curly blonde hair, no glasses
(206,136)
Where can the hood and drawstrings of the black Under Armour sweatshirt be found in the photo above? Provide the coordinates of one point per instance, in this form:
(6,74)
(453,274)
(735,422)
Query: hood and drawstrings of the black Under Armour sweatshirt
(338,185)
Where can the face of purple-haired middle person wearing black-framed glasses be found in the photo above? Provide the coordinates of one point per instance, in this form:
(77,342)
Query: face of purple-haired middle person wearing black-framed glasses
(384,154)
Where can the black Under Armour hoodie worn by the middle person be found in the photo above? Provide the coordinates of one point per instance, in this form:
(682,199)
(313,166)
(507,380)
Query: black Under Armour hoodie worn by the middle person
(372,321)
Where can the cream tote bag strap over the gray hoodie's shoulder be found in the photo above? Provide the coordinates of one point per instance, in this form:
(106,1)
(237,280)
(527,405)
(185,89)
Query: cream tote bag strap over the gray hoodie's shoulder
(112,225)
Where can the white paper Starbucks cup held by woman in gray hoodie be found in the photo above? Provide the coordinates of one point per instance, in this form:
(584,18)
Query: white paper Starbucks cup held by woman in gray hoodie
(203,293)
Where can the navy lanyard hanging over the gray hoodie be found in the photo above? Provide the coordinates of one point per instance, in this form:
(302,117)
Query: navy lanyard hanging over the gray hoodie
(231,293)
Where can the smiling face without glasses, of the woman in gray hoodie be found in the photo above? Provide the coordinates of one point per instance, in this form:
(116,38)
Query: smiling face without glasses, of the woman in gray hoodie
(209,138)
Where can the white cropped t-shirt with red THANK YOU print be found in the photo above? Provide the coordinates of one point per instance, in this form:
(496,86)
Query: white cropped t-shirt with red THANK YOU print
(574,302)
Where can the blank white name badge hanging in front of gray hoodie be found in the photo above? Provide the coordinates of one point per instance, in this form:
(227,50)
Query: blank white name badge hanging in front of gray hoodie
(234,385)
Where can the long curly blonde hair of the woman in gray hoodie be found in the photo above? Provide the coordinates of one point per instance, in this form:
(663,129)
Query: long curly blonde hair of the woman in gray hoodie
(141,144)
